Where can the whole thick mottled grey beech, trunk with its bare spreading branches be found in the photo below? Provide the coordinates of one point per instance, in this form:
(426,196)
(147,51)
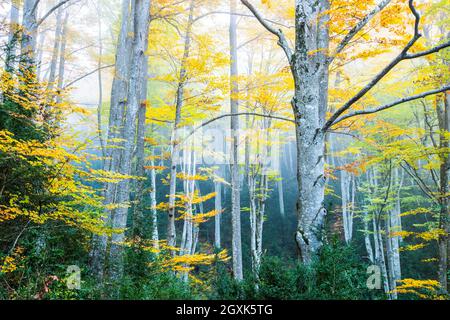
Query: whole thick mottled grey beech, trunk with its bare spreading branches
(309,61)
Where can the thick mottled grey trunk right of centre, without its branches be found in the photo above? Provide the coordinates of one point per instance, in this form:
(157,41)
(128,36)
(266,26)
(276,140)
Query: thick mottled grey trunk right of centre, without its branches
(310,71)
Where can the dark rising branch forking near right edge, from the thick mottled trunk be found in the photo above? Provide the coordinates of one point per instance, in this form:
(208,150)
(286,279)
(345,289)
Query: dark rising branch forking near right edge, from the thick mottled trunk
(402,56)
